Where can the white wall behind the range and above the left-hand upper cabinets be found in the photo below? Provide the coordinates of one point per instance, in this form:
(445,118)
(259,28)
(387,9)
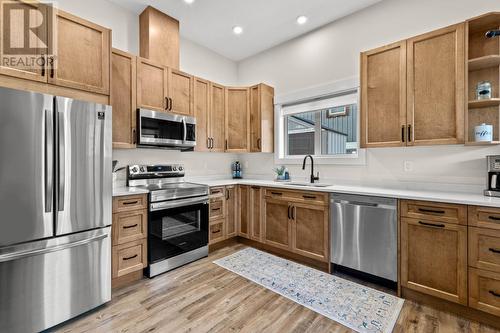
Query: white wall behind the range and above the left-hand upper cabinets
(195,59)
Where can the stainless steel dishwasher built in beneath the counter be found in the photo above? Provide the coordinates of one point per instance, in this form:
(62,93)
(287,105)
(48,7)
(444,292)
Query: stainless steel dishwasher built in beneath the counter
(364,234)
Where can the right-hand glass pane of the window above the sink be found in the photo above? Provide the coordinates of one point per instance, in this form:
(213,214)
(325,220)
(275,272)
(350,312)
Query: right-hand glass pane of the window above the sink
(339,130)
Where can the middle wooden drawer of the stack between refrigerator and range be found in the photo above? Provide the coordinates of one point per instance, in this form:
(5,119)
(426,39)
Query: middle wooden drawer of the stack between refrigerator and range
(129,226)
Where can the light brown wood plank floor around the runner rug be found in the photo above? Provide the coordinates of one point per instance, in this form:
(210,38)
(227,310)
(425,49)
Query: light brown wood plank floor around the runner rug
(203,297)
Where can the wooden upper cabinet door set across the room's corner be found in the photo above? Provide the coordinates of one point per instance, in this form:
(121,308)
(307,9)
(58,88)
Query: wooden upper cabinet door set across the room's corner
(237,119)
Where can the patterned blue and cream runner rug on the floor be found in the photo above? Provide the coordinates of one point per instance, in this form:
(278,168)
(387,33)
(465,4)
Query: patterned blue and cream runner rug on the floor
(353,305)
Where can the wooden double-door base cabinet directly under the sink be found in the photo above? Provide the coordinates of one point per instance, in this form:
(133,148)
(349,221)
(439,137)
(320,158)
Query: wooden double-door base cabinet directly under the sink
(298,226)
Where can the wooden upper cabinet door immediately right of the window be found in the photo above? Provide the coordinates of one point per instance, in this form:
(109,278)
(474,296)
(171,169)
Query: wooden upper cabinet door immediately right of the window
(383,96)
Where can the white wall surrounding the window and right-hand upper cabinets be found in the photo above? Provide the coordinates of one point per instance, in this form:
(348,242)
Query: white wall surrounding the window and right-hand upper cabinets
(331,54)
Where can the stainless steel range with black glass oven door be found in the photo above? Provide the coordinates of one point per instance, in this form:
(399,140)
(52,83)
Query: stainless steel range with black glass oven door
(177,219)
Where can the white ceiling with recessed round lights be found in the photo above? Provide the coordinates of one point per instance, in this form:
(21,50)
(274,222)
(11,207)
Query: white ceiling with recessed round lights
(266,23)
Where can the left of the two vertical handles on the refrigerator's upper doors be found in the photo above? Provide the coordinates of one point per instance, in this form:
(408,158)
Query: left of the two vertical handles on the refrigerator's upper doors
(49,159)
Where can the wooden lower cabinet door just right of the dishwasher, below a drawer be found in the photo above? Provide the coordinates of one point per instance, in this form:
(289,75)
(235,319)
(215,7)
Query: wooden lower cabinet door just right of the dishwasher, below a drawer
(434,258)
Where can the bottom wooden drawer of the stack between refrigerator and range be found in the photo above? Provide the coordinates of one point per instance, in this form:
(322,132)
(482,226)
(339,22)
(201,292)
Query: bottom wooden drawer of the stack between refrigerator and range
(129,258)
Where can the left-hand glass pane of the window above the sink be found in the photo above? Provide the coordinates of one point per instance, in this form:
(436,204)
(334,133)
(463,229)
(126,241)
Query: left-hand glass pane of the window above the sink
(300,135)
